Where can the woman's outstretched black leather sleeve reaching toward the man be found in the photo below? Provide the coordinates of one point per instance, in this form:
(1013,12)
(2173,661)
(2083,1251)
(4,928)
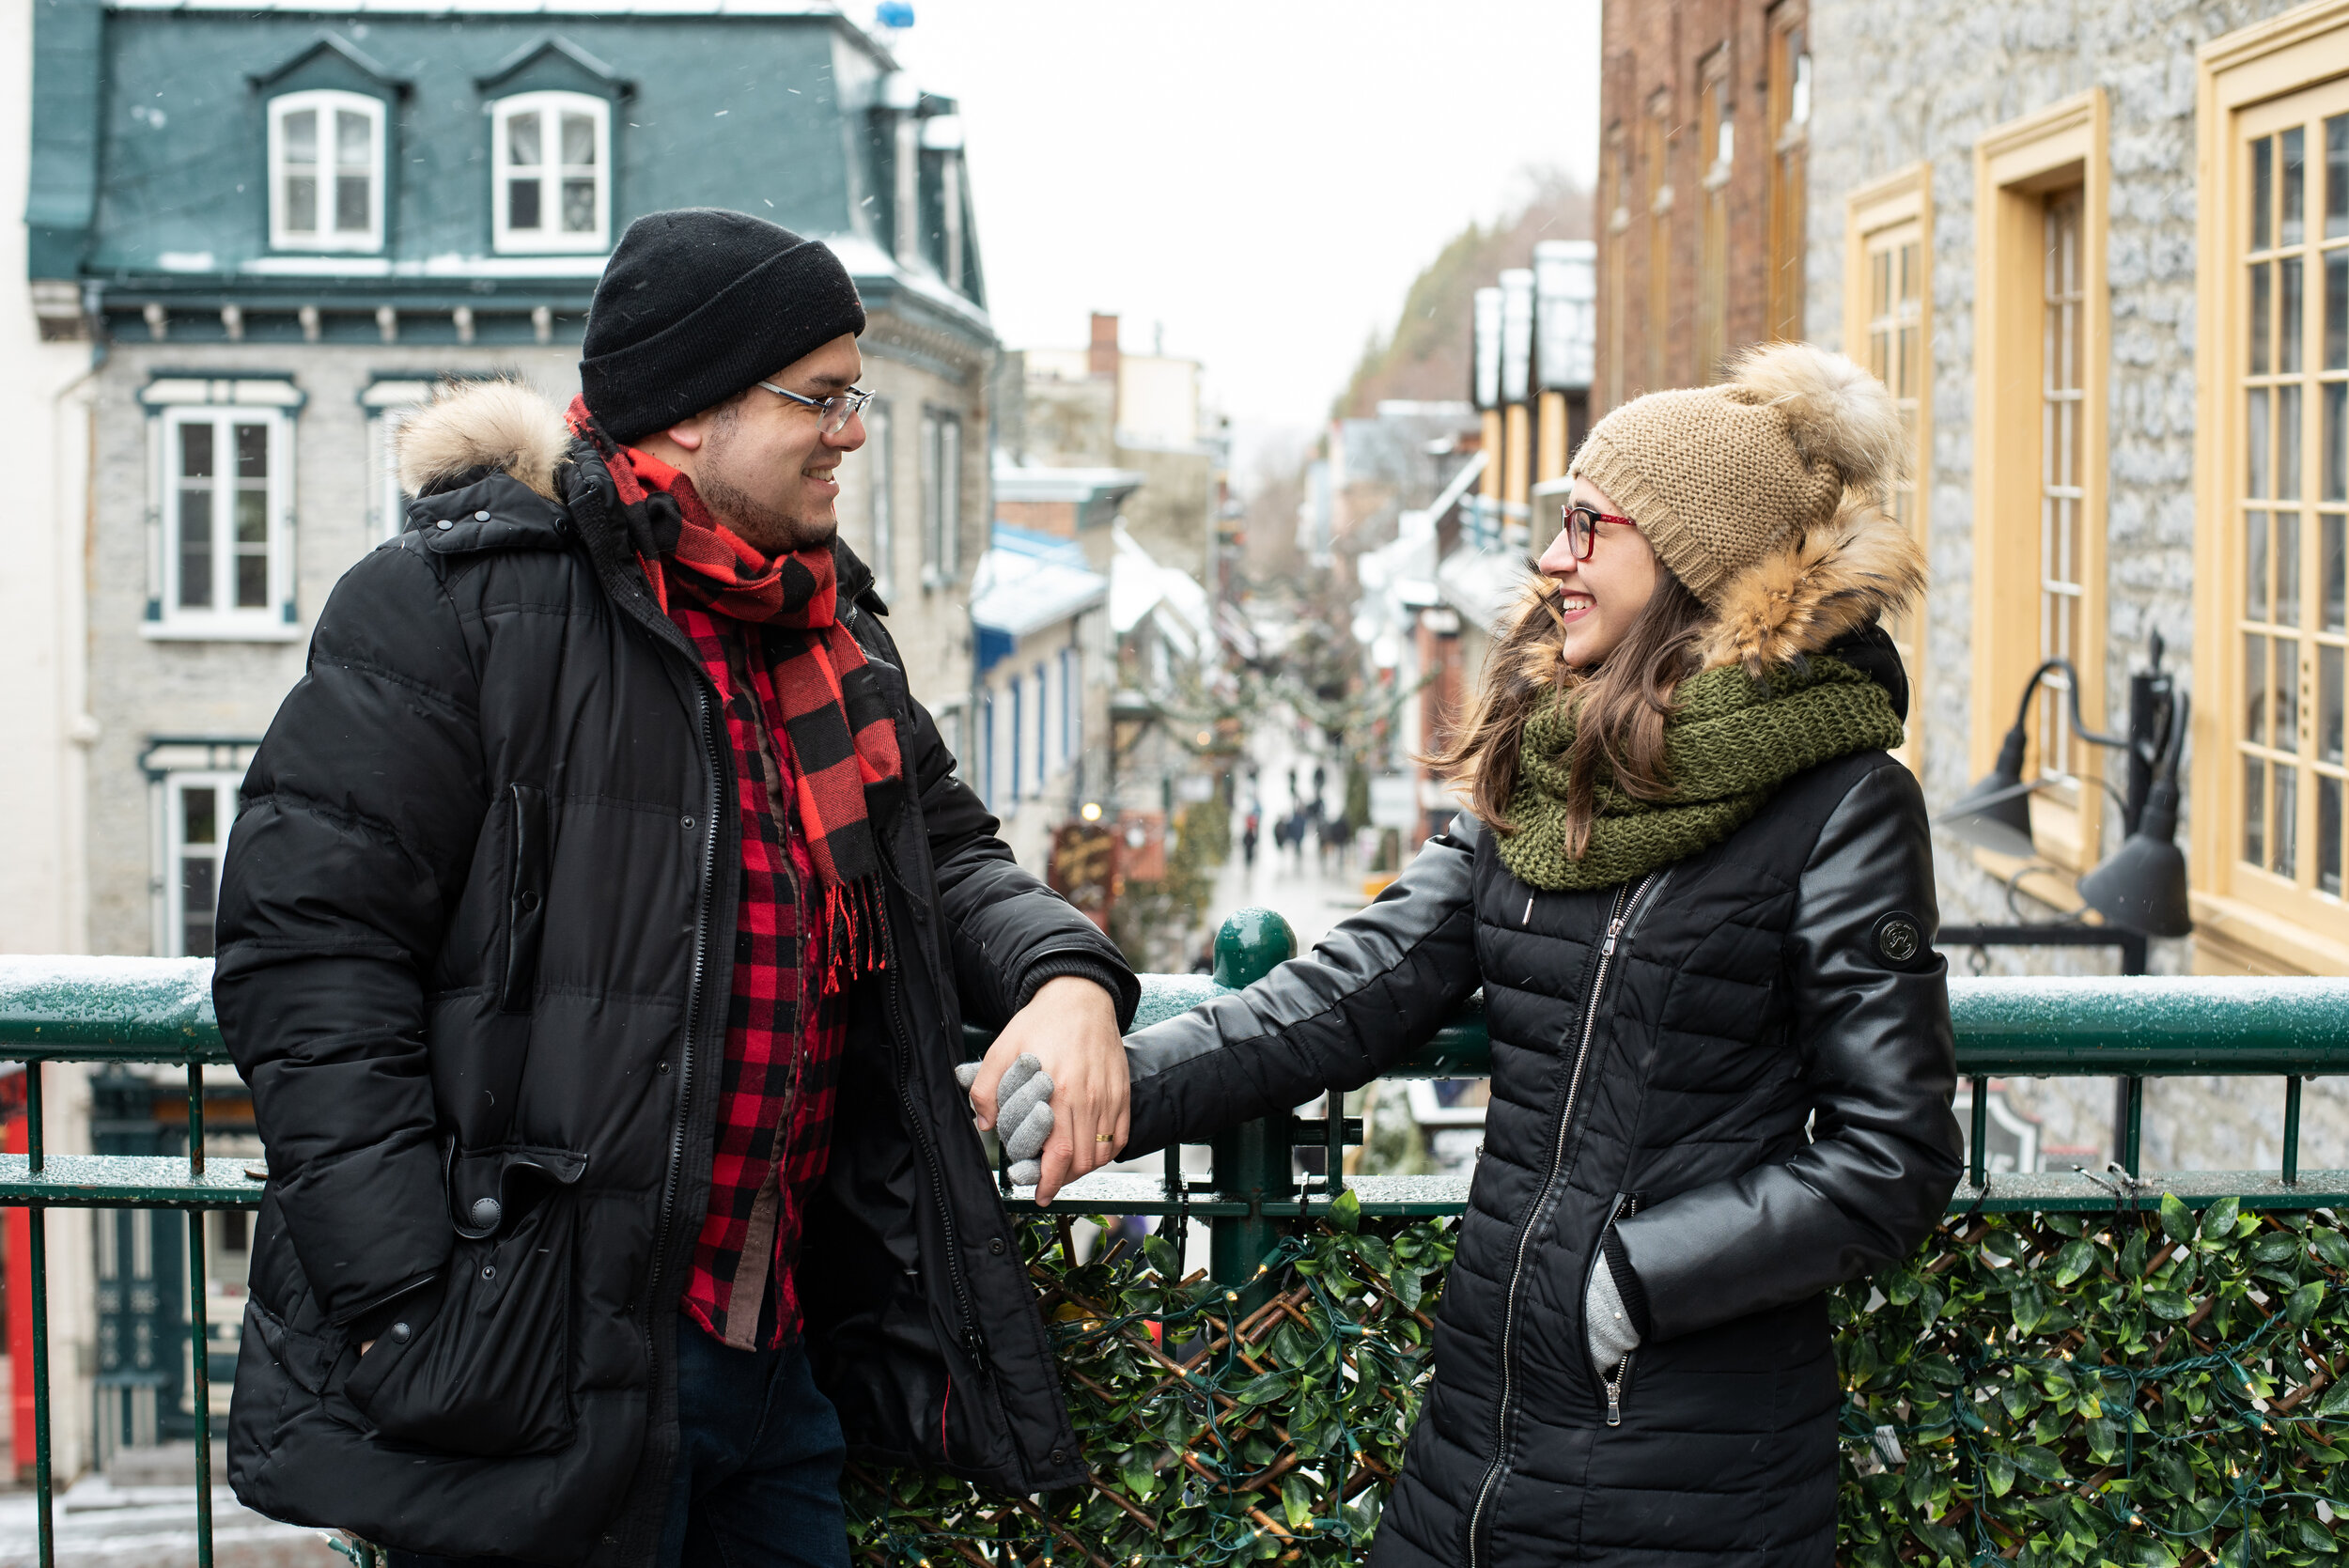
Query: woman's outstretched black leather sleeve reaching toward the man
(1375,989)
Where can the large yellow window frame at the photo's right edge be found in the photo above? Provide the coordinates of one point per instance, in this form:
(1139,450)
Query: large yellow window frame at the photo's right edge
(2254,86)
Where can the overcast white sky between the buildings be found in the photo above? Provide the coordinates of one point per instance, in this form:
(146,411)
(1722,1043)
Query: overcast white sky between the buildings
(1260,180)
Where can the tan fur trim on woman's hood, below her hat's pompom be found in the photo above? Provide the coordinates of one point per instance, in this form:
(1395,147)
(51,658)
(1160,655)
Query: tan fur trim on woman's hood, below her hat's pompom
(1831,581)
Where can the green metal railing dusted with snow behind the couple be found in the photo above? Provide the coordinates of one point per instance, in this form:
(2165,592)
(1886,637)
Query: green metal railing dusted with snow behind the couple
(159,1013)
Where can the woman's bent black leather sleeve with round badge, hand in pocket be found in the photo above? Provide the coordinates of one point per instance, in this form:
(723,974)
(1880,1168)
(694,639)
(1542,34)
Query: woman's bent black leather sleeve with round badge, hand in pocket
(1883,1062)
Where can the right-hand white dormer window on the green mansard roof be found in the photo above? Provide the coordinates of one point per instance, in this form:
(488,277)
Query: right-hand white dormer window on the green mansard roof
(553,173)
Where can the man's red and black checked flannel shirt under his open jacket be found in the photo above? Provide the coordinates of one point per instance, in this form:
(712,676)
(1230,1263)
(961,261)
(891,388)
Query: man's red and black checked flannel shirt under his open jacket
(783,1034)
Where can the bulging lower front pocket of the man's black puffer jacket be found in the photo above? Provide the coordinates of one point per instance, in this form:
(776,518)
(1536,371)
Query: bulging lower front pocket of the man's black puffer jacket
(490,1372)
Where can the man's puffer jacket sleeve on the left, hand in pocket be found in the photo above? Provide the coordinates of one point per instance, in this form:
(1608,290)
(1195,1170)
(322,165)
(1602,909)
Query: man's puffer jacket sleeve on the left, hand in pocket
(361,818)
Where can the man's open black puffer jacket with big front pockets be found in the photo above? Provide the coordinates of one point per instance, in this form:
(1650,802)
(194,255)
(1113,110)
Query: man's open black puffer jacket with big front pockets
(476,947)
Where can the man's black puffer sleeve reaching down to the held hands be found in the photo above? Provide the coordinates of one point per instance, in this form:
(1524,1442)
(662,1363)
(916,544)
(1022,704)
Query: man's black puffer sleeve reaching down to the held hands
(1009,933)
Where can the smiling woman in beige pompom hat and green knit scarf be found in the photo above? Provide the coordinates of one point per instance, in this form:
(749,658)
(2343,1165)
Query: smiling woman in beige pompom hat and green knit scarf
(1700,898)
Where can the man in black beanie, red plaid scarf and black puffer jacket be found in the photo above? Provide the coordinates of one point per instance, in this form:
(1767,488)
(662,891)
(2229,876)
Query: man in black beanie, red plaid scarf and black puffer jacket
(598,940)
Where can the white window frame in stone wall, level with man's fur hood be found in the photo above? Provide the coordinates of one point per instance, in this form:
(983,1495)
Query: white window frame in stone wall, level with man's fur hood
(269,621)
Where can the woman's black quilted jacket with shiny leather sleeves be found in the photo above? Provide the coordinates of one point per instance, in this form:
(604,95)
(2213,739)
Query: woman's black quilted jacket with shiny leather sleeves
(1657,1053)
